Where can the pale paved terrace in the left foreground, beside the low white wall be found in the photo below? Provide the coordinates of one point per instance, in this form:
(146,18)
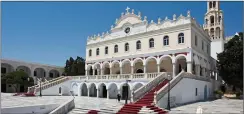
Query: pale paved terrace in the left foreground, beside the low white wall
(8,100)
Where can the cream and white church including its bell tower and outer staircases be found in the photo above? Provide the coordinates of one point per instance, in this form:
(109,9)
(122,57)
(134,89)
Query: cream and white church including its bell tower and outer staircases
(137,54)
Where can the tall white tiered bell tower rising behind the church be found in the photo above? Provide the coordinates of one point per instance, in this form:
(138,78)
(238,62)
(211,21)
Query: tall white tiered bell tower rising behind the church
(214,26)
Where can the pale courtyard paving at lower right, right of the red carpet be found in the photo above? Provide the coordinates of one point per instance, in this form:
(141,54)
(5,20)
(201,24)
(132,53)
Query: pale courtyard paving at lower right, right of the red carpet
(219,106)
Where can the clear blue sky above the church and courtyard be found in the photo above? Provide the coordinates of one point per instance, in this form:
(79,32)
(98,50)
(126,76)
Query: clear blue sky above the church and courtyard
(51,32)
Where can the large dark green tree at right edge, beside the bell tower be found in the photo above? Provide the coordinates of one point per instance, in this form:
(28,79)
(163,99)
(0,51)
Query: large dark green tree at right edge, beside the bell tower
(230,62)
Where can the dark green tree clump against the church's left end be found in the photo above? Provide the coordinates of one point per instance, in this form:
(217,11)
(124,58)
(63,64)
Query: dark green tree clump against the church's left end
(75,67)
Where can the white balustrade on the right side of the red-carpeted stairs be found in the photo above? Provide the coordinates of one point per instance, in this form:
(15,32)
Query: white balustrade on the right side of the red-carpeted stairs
(160,93)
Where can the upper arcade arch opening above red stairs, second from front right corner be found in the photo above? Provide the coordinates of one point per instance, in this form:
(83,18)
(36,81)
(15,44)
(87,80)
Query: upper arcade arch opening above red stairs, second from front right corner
(166,64)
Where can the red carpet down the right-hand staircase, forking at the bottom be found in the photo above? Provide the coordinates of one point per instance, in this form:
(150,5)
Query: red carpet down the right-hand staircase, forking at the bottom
(147,101)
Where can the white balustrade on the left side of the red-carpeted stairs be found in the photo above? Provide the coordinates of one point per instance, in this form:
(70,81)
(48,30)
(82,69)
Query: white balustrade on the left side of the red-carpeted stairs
(140,92)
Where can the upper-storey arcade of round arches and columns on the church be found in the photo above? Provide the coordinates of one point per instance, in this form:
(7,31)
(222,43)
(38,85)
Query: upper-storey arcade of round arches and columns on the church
(152,64)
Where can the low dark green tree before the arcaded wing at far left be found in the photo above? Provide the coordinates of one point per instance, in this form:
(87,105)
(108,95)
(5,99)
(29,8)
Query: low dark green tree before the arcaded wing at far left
(17,78)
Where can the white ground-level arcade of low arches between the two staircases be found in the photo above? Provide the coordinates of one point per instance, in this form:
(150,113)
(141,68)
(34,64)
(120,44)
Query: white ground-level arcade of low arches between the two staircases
(106,90)
